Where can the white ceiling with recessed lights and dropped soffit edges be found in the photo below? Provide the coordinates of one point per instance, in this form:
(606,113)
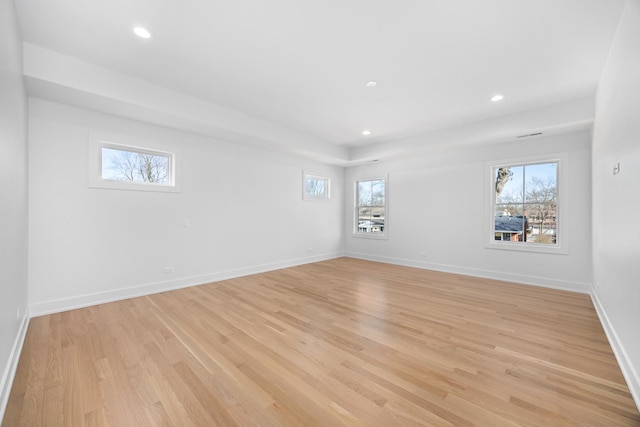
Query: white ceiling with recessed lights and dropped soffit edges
(292,73)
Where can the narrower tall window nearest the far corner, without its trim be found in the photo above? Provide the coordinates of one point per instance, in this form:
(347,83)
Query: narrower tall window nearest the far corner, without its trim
(370,206)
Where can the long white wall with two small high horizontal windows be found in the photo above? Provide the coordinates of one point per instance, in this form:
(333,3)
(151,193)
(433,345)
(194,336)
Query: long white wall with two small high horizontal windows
(244,207)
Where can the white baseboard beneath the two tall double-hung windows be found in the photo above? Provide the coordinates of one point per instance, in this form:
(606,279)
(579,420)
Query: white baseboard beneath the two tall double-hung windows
(564,285)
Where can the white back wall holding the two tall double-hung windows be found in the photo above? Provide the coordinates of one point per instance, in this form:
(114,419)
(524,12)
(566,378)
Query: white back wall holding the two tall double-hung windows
(437,206)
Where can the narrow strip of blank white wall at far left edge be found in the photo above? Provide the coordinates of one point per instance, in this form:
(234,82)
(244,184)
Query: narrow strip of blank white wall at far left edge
(13,198)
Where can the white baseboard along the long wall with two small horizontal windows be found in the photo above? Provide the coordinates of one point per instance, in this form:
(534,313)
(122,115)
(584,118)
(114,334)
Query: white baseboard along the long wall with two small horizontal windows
(65,304)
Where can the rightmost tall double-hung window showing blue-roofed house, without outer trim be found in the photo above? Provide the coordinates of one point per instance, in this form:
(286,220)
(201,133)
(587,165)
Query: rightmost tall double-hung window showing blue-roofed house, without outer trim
(525,202)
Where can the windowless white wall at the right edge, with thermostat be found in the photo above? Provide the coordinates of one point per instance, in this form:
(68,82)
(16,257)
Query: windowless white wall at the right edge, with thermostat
(616,198)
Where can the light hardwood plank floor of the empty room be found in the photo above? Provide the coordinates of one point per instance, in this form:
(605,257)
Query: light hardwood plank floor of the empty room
(341,342)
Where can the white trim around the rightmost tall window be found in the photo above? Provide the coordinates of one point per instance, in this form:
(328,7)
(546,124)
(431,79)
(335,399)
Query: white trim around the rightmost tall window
(562,247)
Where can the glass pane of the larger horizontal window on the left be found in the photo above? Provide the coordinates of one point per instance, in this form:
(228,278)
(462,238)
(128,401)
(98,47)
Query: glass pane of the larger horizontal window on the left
(133,166)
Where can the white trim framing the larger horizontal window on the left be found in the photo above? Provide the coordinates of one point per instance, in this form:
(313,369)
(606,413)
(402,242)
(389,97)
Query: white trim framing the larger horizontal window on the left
(98,140)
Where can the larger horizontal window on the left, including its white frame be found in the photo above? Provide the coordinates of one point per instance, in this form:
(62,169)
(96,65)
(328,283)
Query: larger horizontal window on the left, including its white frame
(116,164)
